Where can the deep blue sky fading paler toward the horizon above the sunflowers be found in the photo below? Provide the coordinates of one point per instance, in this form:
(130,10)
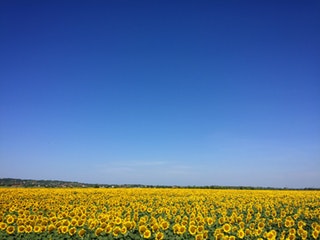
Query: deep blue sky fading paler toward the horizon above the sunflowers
(161,92)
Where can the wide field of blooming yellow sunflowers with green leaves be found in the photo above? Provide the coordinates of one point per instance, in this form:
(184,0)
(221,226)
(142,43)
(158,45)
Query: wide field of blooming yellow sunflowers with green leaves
(139,213)
